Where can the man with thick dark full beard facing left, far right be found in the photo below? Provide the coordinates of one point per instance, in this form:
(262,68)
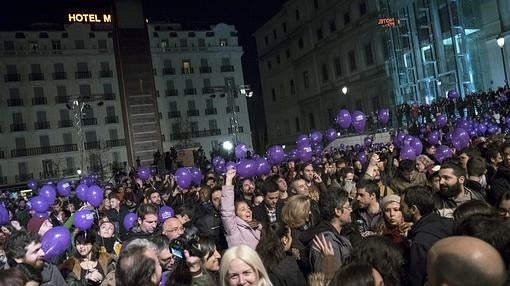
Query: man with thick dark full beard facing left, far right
(452,191)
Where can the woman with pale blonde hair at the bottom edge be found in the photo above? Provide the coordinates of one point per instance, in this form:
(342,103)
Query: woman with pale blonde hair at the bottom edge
(241,265)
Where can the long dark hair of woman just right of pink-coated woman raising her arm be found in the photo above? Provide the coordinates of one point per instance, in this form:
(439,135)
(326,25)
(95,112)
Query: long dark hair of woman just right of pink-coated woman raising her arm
(270,248)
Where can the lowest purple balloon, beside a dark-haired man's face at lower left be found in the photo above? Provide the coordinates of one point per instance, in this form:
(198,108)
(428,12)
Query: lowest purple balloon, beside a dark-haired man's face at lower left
(55,242)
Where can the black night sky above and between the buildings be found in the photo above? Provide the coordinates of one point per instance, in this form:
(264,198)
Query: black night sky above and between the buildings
(246,15)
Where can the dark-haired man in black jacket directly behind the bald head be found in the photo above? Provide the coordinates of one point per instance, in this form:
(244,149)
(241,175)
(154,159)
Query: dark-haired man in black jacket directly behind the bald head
(417,206)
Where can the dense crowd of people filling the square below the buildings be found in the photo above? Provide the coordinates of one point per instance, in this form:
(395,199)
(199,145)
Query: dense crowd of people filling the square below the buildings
(335,220)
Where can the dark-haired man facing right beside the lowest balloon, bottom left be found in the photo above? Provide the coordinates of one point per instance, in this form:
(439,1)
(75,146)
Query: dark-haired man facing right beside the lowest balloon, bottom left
(24,247)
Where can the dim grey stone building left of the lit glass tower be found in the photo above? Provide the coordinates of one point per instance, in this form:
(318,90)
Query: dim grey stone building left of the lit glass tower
(308,52)
